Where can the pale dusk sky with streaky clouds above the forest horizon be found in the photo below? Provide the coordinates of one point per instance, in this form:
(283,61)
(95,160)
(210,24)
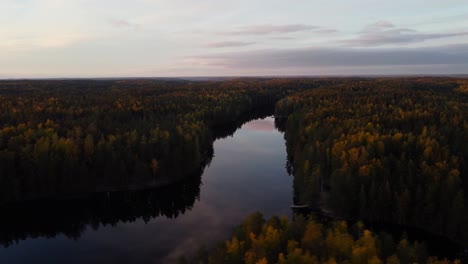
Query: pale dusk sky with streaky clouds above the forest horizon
(171,38)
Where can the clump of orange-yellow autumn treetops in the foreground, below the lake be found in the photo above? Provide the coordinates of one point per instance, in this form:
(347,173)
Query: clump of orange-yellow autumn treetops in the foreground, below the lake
(307,241)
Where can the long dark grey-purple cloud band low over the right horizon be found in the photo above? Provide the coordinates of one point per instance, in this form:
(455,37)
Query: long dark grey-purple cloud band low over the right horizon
(336,57)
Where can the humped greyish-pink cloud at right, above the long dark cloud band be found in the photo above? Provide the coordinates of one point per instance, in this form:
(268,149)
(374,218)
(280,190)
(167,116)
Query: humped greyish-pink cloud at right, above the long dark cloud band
(385,33)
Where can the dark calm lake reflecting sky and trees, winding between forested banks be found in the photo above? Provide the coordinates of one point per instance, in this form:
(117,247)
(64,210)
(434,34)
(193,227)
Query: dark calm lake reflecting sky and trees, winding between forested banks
(247,173)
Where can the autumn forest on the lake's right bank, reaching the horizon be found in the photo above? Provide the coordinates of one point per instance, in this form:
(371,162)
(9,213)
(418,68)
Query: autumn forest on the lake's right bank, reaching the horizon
(383,150)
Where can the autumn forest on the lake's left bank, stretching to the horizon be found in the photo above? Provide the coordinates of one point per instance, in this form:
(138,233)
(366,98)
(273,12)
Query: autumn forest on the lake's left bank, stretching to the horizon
(62,137)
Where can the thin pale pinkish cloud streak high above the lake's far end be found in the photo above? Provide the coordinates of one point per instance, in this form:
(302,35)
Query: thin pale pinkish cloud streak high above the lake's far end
(270,29)
